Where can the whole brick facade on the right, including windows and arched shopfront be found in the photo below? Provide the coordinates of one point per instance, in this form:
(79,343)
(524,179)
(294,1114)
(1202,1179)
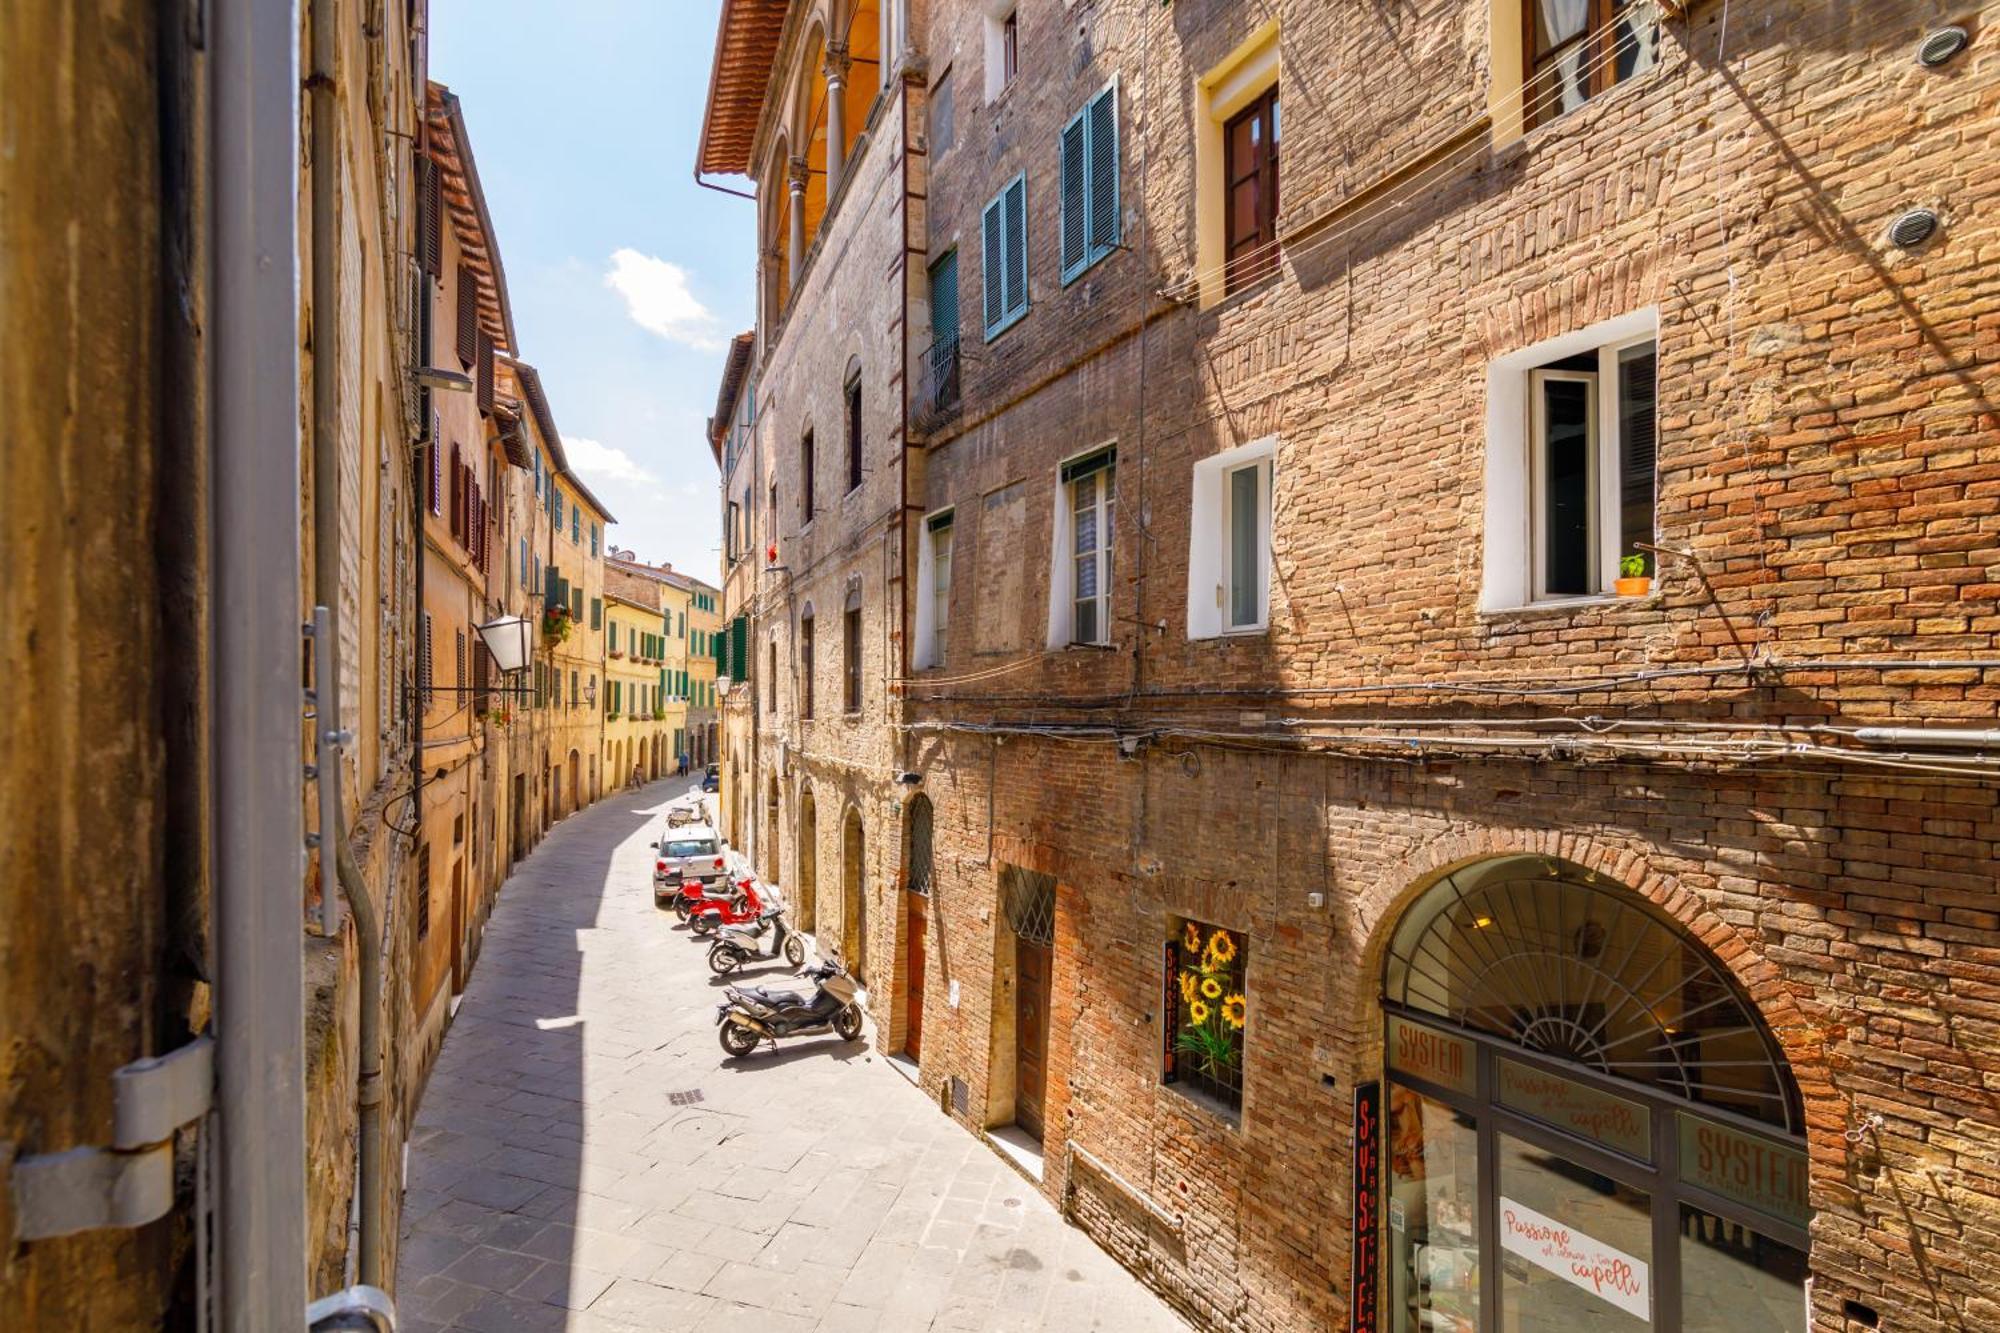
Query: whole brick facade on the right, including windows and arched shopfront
(1251,561)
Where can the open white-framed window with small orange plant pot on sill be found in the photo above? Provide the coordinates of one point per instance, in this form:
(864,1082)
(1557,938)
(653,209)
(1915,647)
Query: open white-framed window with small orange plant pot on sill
(1571,463)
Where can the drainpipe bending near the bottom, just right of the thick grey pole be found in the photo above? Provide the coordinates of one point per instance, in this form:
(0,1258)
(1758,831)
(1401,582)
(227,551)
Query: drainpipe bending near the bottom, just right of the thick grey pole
(327,587)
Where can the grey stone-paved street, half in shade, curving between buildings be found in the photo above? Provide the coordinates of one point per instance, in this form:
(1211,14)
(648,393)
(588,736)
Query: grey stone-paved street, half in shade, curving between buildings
(587,1158)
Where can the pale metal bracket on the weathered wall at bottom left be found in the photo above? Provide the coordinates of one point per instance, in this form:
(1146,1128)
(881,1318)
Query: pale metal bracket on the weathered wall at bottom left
(131,1182)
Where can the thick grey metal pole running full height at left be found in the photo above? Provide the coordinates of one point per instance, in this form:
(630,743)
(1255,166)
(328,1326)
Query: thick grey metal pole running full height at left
(255,708)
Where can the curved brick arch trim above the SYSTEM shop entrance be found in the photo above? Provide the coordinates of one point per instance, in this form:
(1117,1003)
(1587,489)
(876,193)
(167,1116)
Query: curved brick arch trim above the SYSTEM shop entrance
(1383,904)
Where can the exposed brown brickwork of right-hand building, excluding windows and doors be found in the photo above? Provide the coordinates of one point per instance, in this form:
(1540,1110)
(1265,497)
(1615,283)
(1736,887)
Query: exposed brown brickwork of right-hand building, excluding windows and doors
(1829,453)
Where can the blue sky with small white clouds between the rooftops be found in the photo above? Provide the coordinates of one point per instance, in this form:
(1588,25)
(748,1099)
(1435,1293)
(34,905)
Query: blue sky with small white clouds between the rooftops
(627,279)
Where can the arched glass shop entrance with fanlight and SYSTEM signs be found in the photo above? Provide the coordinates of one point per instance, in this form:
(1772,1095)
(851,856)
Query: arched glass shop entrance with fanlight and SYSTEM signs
(1589,1124)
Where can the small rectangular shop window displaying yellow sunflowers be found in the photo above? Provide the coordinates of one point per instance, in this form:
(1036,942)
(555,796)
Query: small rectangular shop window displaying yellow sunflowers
(1205,992)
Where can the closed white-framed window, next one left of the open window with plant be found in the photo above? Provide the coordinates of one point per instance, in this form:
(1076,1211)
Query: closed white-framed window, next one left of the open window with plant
(1229,541)
